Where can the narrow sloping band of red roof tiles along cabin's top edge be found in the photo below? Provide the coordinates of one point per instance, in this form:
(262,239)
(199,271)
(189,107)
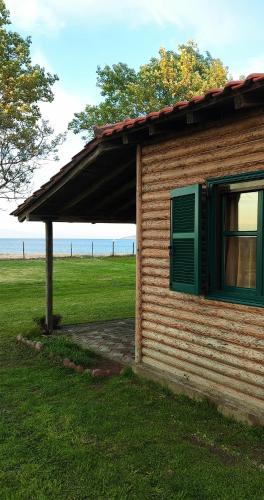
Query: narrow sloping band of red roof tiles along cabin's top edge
(212,97)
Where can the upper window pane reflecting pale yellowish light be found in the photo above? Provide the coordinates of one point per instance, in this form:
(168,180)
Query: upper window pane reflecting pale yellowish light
(241,211)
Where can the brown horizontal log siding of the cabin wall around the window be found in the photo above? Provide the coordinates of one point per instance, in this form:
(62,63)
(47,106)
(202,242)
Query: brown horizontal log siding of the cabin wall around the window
(215,346)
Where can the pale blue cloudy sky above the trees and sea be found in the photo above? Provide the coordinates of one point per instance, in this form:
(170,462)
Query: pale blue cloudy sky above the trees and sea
(71,38)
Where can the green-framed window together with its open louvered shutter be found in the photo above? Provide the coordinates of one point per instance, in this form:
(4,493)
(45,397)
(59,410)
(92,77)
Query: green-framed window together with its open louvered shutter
(218,239)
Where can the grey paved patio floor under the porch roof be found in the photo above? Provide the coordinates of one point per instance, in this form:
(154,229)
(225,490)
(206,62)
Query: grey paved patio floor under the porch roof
(113,339)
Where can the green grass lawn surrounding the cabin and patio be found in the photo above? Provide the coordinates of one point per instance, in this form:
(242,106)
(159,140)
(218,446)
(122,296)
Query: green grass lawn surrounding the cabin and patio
(65,436)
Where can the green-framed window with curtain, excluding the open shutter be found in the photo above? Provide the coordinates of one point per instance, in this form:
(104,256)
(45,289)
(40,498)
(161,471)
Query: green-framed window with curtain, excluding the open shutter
(235,239)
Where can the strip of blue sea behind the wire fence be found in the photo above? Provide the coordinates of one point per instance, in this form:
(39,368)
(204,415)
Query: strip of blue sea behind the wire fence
(28,247)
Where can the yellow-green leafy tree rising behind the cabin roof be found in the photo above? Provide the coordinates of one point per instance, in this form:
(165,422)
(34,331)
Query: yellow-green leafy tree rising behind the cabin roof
(164,80)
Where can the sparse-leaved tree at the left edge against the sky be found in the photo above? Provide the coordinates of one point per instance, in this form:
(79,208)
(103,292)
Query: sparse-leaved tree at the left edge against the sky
(25,139)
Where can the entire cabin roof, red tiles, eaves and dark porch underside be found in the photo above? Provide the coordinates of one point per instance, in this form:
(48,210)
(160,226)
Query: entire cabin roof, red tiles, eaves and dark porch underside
(99,184)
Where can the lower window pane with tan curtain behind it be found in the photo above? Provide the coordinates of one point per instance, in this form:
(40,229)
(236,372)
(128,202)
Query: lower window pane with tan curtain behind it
(240,261)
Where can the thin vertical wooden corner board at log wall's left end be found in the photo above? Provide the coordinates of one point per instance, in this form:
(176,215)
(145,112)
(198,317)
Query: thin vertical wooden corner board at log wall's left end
(138,340)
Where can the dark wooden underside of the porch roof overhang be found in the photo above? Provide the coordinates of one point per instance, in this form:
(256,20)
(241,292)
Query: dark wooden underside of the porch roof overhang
(98,185)
